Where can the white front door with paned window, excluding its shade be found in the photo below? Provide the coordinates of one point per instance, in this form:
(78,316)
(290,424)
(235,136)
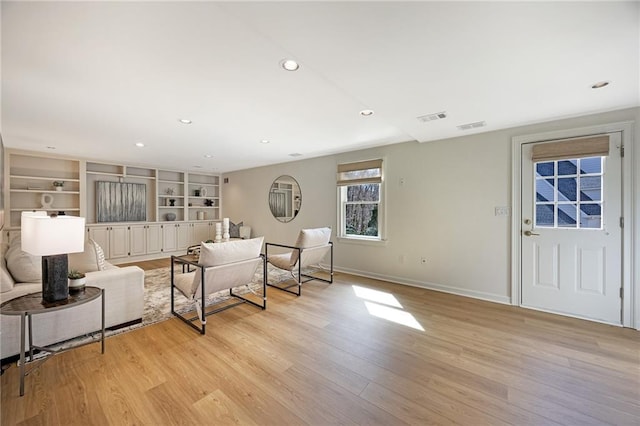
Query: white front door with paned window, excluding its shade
(570,234)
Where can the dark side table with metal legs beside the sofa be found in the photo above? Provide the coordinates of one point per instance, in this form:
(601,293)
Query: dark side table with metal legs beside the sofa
(32,304)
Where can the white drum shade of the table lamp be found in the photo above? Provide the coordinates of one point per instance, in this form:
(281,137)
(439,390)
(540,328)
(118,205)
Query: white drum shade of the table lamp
(44,236)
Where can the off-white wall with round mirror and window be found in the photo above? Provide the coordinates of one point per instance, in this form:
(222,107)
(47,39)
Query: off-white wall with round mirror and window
(444,211)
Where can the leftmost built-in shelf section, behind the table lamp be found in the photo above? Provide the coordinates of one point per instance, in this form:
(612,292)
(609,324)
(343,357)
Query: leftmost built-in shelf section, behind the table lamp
(30,185)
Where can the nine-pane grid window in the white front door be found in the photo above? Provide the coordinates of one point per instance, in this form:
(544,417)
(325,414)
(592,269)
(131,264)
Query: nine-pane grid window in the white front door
(569,193)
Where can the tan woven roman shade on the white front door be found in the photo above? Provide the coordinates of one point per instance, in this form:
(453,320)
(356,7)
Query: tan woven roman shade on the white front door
(594,146)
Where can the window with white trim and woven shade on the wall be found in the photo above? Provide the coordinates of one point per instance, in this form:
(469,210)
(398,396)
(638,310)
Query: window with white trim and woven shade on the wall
(360,200)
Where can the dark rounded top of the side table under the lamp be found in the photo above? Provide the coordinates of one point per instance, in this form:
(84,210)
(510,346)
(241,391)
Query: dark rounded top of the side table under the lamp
(33,303)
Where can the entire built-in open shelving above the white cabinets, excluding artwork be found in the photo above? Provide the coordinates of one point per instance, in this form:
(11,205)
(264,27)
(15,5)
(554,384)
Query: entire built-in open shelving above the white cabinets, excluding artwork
(171,195)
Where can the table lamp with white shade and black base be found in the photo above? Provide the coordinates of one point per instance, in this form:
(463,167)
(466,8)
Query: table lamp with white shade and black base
(52,237)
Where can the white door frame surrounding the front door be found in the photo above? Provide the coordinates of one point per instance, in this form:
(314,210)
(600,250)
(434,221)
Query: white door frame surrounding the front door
(630,304)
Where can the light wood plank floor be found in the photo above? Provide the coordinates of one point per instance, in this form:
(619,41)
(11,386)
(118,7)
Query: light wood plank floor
(334,356)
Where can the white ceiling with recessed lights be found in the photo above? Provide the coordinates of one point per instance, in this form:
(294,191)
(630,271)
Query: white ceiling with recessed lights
(92,79)
